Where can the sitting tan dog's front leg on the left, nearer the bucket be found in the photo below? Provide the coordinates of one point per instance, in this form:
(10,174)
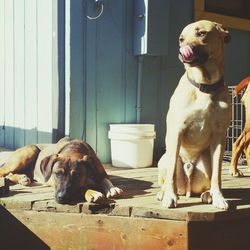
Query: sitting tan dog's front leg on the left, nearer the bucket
(173,143)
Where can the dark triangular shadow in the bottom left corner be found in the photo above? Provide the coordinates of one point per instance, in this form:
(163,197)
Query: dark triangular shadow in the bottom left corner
(15,235)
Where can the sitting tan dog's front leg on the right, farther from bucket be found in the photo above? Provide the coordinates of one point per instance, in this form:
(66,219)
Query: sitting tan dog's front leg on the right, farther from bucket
(217,150)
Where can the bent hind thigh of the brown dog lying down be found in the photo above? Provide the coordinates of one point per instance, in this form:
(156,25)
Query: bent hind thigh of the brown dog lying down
(21,161)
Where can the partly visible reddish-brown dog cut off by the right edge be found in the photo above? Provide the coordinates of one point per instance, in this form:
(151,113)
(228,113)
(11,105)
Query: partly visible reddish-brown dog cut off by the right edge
(242,143)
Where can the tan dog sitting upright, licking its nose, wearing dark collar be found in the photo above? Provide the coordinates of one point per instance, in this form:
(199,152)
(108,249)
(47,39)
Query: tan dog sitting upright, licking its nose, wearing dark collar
(197,120)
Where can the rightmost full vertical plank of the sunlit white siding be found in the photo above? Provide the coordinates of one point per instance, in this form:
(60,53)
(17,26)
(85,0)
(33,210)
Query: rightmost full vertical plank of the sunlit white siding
(44,70)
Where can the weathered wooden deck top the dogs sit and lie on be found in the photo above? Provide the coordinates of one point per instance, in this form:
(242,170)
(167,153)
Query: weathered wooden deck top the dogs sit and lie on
(139,200)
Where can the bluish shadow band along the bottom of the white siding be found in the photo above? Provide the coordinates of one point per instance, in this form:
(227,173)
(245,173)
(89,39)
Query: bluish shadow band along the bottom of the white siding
(12,137)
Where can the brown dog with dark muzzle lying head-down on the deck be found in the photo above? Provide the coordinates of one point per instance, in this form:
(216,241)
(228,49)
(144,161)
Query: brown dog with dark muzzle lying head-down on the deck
(71,166)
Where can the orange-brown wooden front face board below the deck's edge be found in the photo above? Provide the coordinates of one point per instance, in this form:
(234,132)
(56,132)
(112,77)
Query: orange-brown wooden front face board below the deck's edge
(100,232)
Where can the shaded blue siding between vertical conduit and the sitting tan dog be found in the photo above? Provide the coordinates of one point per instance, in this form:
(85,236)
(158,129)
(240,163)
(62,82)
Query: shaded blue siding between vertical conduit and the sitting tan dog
(161,74)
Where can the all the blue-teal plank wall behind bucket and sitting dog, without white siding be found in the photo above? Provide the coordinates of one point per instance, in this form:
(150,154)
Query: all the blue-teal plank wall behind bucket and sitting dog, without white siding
(104,71)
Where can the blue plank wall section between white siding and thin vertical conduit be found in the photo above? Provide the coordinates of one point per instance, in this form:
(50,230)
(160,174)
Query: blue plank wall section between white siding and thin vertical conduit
(104,77)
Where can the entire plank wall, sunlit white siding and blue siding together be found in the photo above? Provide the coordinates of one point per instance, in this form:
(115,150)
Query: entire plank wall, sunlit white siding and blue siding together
(103,72)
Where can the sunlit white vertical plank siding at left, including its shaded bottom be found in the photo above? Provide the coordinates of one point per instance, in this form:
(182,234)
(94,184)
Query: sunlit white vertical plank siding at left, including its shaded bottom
(26,55)
